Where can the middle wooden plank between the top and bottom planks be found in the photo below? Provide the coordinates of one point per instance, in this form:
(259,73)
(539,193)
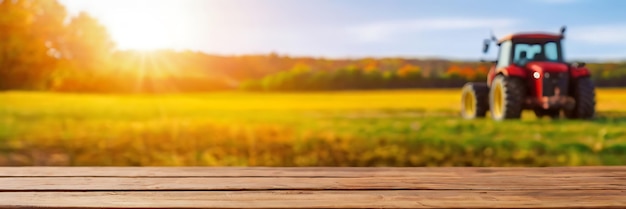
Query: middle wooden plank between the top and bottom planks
(289,183)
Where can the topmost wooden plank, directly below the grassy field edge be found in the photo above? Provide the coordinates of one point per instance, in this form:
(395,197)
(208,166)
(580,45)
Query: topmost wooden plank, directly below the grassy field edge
(619,171)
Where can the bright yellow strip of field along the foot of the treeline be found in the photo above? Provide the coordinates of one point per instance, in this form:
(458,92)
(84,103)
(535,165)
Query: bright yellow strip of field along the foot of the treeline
(608,100)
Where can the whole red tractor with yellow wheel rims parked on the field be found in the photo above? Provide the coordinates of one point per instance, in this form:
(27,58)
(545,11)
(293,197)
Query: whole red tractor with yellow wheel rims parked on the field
(531,74)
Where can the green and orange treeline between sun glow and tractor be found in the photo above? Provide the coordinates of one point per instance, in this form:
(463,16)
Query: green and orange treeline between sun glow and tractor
(370,76)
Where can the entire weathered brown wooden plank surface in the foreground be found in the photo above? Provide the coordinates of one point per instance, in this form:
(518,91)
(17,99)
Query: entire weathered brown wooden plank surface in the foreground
(111,187)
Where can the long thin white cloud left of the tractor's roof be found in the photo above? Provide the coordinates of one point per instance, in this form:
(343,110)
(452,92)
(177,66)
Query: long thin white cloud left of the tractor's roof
(385,30)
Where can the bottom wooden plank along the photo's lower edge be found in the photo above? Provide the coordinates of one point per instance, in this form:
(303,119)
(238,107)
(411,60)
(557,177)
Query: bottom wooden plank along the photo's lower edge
(319,199)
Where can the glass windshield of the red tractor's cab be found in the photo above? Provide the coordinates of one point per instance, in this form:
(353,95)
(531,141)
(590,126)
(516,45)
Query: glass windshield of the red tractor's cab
(546,52)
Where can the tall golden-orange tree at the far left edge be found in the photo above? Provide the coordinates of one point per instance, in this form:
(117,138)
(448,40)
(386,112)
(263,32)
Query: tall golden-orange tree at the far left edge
(30,33)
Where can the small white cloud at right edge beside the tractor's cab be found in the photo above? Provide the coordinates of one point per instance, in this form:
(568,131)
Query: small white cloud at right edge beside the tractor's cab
(600,35)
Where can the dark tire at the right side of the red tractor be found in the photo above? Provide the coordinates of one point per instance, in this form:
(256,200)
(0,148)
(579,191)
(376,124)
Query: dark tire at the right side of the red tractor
(585,97)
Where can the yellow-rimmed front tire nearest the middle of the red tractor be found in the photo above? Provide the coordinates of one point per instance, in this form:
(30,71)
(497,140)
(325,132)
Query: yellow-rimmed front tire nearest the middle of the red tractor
(506,98)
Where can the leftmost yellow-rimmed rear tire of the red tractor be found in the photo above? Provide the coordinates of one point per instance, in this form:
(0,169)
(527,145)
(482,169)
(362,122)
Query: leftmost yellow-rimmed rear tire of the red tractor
(474,100)
